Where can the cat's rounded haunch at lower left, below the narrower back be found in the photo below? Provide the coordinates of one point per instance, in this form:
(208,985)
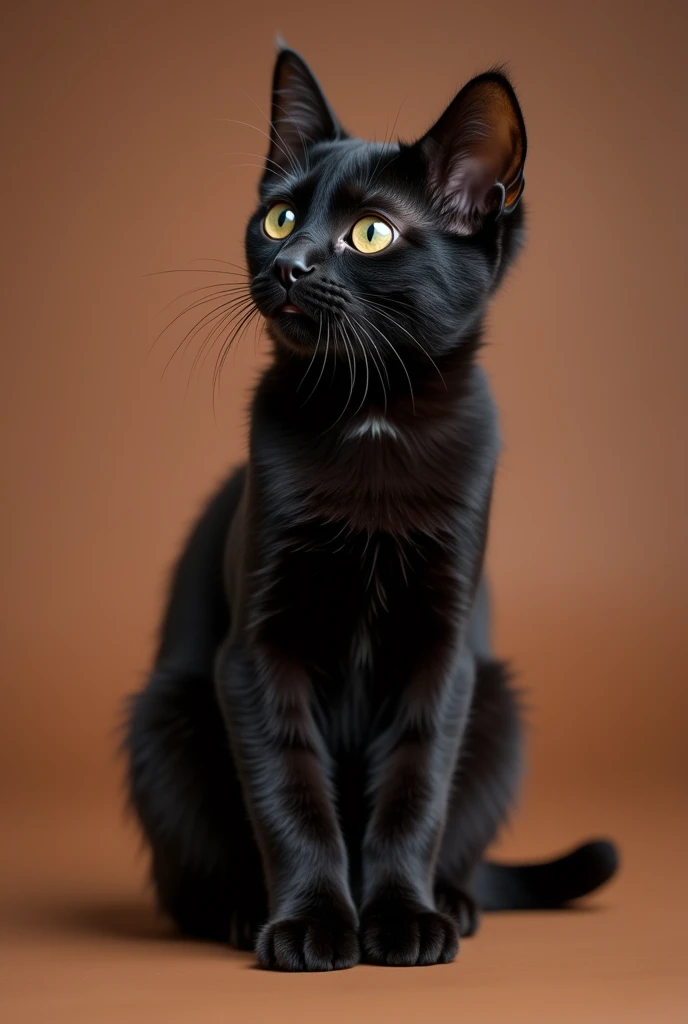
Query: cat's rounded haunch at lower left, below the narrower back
(205,866)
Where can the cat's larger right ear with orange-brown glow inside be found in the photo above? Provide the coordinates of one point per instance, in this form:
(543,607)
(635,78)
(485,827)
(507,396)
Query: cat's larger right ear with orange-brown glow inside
(476,153)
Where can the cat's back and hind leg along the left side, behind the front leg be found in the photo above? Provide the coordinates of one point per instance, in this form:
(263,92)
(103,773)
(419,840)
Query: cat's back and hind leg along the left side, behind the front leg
(182,779)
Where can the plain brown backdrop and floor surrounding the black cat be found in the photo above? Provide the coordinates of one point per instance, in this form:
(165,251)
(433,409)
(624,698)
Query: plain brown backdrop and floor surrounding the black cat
(118,164)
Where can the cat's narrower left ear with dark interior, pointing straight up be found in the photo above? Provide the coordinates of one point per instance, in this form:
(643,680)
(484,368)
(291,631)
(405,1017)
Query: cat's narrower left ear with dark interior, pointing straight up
(300,114)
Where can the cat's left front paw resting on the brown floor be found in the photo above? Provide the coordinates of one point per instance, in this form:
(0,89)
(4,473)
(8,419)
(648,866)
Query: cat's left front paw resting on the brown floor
(309,945)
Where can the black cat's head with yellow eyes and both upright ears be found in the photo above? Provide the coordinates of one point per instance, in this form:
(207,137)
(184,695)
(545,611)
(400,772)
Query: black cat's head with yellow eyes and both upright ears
(382,248)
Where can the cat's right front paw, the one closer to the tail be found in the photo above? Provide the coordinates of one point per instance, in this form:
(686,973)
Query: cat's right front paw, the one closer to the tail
(403,936)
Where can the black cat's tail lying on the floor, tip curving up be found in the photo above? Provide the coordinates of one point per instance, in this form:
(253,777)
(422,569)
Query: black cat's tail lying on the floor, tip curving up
(546,885)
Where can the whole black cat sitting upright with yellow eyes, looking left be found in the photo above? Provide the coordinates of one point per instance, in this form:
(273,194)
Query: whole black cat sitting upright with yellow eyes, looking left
(327,744)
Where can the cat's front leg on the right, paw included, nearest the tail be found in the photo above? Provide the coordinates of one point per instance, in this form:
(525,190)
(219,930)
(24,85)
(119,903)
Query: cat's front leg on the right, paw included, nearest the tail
(412,769)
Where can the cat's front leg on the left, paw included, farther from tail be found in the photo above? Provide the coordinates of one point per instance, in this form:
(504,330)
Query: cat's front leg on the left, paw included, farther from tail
(284,771)
